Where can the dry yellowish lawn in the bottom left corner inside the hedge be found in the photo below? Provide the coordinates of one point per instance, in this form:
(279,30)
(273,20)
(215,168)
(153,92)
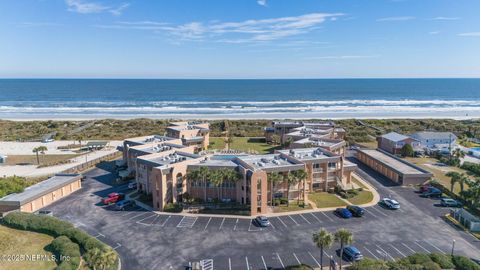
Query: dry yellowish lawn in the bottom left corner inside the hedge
(16,242)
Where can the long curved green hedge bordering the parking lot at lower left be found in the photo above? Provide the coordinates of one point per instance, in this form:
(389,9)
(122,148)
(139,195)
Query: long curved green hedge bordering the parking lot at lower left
(56,227)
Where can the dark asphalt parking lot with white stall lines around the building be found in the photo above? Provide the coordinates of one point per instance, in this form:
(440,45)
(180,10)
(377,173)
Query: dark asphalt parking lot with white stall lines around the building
(146,240)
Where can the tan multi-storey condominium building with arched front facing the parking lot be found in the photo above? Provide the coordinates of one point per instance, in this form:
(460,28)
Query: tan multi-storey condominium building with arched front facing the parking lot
(164,175)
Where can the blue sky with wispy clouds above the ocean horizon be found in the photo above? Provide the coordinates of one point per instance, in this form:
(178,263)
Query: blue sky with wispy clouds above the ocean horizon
(239,38)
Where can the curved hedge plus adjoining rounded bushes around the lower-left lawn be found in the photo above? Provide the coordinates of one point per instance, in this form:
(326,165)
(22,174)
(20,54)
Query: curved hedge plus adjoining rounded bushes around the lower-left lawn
(70,245)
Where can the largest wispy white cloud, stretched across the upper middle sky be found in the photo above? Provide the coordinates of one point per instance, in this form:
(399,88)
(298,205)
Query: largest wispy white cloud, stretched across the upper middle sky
(234,32)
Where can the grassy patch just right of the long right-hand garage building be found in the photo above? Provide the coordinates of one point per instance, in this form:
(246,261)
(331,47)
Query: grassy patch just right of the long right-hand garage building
(438,172)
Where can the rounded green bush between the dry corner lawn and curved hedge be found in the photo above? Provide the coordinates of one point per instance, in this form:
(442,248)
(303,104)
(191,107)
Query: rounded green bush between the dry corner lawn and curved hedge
(63,247)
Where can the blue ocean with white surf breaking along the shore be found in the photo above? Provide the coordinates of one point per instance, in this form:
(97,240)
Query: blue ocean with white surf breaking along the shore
(24,99)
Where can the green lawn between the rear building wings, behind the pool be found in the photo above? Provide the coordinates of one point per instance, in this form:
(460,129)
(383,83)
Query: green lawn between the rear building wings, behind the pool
(246,144)
